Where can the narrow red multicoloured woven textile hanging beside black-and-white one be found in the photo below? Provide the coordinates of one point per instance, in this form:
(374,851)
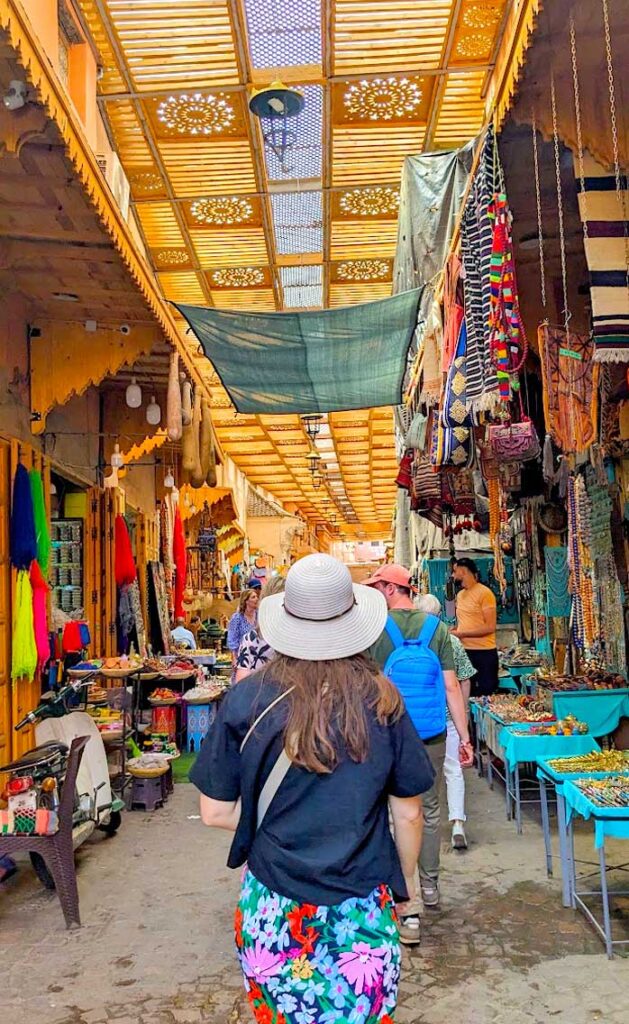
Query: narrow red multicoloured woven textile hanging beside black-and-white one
(508,339)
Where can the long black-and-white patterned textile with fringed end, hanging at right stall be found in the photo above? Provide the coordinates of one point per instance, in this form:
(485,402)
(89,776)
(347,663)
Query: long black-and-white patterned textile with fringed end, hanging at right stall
(477,235)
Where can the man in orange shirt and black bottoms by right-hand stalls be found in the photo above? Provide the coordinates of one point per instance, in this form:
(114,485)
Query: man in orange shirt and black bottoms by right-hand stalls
(477,617)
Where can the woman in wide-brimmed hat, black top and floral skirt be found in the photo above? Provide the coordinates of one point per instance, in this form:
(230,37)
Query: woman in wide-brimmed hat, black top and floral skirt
(302,763)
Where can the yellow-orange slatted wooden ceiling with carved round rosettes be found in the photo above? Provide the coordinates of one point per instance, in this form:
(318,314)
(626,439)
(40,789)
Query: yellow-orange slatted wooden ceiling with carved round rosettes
(228,224)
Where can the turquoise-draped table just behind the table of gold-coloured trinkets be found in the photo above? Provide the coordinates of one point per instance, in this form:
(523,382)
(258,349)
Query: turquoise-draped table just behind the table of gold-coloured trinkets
(520,748)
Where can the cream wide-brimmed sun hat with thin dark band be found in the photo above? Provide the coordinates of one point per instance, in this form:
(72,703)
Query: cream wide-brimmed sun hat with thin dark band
(322,615)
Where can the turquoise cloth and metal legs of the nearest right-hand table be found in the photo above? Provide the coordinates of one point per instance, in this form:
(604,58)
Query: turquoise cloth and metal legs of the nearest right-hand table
(609,822)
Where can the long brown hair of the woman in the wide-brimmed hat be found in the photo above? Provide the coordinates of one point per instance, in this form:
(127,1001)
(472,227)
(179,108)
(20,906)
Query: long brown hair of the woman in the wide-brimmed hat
(331,701)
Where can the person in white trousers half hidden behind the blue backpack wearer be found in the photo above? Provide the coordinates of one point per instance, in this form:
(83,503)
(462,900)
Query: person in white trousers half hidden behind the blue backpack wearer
(453,773)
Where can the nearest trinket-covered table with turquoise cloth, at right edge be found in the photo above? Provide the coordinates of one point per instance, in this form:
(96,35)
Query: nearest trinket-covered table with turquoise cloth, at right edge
(606,803)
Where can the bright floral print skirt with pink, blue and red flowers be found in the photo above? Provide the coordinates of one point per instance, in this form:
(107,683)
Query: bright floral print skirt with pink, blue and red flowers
(318,965)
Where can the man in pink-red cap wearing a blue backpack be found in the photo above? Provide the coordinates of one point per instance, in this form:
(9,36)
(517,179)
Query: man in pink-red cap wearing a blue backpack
(415,653)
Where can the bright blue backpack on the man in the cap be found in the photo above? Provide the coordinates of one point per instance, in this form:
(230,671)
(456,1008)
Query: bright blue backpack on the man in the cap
(416,671)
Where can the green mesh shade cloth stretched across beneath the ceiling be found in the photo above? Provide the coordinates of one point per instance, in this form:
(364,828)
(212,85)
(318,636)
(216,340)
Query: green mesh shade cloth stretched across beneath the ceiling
(319,362)
